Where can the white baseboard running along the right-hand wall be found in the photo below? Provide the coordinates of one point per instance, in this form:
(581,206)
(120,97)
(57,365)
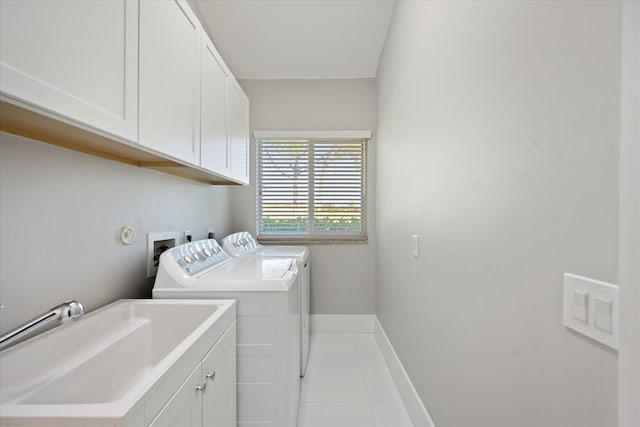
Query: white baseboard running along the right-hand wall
(415,408)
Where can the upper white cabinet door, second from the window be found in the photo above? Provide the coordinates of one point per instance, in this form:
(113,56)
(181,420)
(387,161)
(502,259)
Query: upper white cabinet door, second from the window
(213,111)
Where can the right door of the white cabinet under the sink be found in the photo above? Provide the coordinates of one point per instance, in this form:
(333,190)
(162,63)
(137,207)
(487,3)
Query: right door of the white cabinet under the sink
(219,369)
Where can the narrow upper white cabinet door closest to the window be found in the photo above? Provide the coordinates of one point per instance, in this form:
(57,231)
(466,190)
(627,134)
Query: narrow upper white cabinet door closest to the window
(238,133)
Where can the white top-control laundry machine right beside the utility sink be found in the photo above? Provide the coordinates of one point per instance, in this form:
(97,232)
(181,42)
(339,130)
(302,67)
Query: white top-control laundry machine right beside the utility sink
(268,320)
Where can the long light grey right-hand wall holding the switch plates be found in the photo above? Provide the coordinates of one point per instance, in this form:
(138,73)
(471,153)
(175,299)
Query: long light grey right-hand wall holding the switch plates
(498,132)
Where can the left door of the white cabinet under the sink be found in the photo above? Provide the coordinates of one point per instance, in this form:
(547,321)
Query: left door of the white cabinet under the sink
(184,409)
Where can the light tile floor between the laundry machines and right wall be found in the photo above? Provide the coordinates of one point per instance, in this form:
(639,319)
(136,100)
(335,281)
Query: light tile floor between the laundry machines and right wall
(348,384)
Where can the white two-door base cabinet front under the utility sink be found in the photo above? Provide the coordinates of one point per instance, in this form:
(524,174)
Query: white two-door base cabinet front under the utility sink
(208,396)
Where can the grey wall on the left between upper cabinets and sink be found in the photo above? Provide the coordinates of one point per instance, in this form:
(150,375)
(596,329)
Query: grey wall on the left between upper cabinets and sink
(59,215)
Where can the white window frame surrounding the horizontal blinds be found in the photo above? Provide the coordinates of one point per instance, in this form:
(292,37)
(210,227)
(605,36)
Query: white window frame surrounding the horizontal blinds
(311,138)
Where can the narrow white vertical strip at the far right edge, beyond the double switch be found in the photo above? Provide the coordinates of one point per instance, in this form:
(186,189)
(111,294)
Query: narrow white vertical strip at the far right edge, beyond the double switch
(629,359)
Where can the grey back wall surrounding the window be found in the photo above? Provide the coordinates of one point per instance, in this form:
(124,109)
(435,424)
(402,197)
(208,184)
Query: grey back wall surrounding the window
(343,276)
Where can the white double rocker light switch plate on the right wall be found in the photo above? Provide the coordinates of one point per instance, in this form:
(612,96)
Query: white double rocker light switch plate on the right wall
(601,307)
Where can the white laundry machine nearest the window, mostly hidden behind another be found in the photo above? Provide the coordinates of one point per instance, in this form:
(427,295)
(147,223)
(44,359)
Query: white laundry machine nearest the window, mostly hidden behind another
(243,244)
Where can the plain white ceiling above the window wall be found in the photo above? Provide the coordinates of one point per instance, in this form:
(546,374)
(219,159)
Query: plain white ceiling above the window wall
(298,39)
